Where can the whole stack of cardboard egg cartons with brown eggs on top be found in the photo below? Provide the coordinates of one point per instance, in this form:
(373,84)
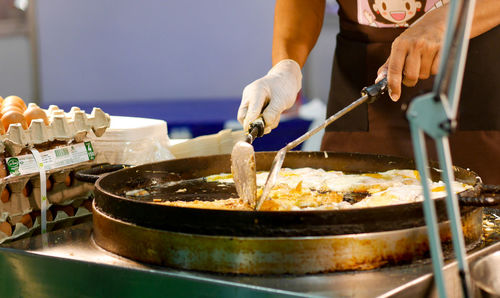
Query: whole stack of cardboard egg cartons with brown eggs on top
(32,127)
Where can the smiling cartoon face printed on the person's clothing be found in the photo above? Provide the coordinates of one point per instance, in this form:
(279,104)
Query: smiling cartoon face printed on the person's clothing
(398,12)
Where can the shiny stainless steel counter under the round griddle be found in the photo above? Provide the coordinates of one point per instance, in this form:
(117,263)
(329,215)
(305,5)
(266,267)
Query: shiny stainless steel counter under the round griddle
(68,264)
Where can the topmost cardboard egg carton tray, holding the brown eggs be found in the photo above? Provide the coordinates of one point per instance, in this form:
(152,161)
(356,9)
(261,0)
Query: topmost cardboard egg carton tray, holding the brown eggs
(71,126)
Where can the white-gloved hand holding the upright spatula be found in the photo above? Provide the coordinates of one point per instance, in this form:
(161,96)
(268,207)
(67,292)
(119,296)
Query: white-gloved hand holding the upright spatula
(278,89)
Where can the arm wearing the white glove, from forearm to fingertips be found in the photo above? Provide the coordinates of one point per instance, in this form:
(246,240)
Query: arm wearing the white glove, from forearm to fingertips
(297,24)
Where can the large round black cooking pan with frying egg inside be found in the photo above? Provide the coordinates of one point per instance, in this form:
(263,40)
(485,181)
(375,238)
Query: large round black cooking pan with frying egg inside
(110,199)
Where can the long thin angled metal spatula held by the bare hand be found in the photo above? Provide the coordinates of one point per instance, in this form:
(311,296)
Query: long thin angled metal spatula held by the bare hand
(368,94)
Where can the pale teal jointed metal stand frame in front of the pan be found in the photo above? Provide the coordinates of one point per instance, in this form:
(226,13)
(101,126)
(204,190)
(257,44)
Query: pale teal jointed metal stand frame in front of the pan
(434,114)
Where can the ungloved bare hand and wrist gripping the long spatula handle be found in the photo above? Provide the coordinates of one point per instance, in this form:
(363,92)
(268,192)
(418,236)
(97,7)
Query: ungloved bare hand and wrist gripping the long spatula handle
(415,53)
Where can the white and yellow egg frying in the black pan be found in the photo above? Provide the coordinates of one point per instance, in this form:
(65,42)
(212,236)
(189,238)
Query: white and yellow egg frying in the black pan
(316,189)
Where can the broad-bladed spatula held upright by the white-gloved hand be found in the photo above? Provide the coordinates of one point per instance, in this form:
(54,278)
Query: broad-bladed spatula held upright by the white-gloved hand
(243,165)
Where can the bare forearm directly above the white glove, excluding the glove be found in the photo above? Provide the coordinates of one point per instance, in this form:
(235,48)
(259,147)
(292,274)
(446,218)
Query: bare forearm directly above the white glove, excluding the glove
(297,24)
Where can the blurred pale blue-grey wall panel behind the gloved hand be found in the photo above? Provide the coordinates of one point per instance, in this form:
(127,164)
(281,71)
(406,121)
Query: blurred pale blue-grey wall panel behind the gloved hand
(129,50)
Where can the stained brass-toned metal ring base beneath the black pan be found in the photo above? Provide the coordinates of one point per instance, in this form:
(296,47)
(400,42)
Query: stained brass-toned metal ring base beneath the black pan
(272,255)
